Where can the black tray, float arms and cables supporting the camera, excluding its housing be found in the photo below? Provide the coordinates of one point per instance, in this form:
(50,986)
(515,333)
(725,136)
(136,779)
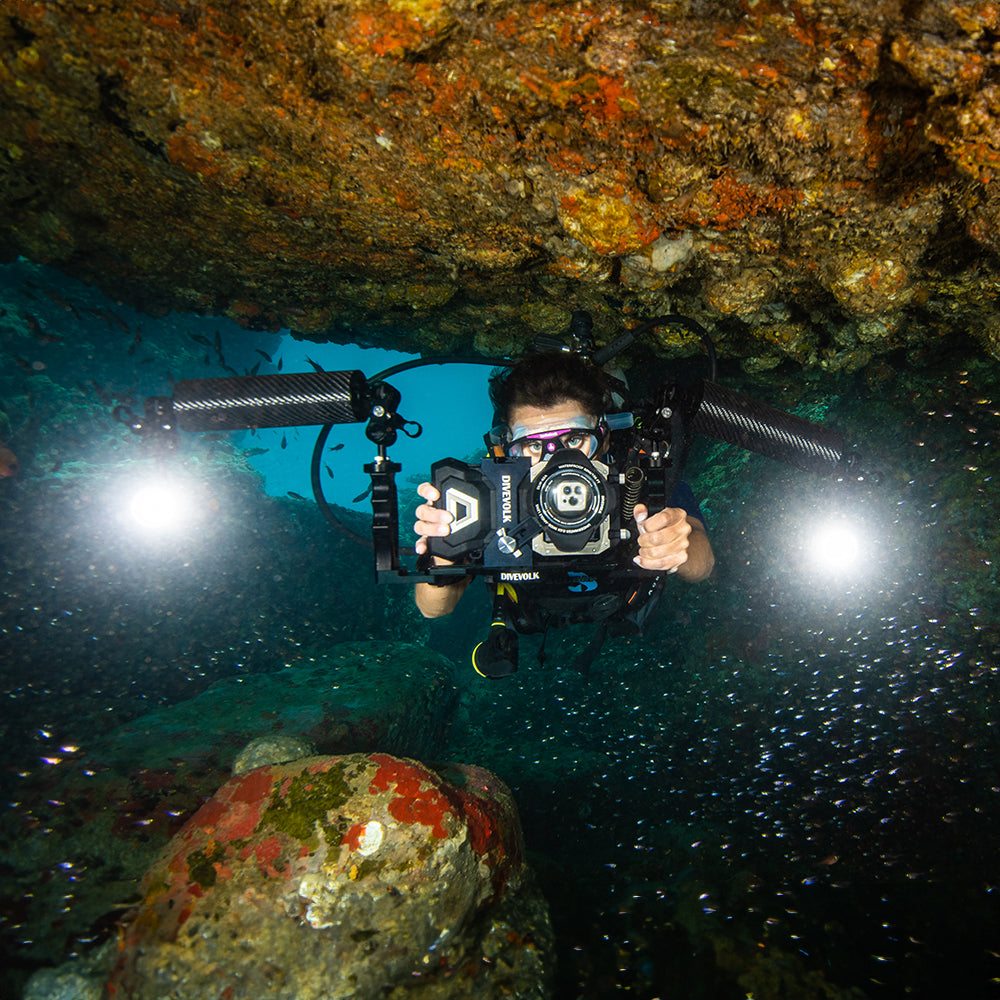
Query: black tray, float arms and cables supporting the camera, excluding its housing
(664,427)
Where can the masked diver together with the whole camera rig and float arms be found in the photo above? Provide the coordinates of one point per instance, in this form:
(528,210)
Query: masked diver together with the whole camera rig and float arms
(552,517)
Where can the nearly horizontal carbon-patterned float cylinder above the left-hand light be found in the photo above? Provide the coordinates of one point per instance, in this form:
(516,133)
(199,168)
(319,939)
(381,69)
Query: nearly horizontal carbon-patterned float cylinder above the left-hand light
(285,400)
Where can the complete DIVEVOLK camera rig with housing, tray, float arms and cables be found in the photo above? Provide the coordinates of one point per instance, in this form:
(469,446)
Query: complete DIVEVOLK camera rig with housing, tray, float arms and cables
(508,514)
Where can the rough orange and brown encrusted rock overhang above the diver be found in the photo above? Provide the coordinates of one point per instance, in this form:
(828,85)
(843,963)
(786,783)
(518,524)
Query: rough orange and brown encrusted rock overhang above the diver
(813,181)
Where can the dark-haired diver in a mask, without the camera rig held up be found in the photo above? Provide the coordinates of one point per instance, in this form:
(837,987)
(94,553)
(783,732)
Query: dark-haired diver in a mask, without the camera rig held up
(544,403)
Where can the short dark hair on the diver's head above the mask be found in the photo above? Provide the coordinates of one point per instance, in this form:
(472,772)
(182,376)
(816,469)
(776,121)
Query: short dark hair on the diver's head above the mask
(548,379)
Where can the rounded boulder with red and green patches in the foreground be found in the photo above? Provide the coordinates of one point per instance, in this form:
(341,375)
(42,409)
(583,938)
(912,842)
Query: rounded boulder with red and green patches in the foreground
(354,876)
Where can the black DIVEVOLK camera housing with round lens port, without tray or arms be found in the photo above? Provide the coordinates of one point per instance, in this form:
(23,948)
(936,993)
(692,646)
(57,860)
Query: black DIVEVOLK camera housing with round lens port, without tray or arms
(506,512)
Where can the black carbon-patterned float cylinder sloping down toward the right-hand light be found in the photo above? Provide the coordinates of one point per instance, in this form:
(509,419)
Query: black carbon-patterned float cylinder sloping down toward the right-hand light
(740,420)
